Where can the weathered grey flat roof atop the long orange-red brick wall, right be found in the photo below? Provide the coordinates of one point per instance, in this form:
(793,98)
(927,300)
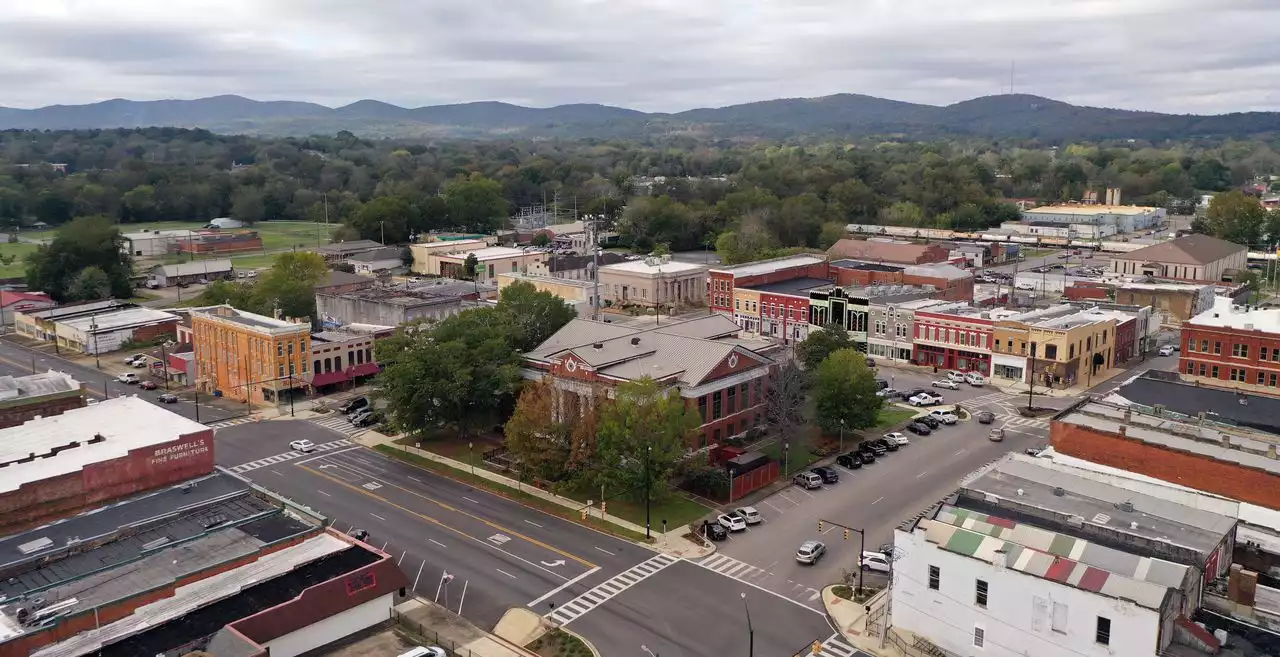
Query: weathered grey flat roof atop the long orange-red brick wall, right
(1235,445)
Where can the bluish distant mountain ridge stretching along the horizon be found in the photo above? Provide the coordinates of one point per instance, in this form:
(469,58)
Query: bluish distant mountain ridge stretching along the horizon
(843,115)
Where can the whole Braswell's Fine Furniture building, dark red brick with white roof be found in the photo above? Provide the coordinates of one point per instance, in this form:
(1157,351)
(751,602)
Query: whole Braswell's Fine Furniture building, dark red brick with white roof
(54,467)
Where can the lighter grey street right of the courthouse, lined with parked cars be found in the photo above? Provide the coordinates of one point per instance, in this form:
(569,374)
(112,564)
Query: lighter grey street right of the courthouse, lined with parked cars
(875,499)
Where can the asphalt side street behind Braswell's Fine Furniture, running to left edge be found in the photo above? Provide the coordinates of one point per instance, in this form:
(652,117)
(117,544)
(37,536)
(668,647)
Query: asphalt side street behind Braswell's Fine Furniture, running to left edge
(20,361)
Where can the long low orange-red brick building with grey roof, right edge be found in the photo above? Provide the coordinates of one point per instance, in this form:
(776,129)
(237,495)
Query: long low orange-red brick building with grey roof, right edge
(1214,458)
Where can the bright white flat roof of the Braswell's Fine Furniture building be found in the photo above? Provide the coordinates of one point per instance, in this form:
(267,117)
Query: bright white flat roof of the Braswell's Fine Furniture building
(77,439)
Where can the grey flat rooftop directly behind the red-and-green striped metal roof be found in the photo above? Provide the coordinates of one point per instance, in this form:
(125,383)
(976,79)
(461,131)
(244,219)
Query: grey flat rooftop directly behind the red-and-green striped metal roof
(1136,519)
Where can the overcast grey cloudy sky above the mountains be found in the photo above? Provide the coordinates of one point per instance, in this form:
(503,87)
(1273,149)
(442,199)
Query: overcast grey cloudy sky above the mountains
(659,56)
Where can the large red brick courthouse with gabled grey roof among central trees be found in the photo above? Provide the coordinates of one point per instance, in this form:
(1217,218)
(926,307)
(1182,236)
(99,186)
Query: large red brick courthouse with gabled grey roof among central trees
(716,375)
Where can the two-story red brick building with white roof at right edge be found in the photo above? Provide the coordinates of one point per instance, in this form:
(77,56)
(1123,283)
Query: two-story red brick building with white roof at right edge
(1235,348)
